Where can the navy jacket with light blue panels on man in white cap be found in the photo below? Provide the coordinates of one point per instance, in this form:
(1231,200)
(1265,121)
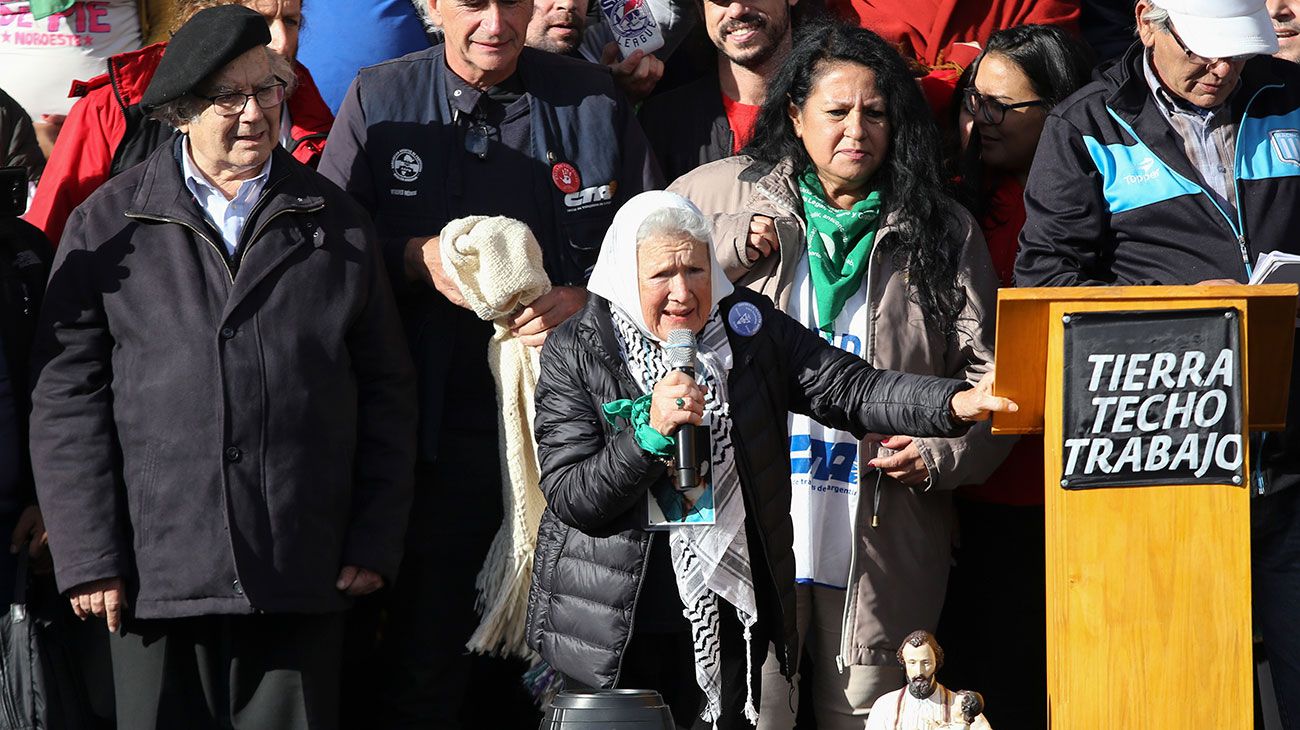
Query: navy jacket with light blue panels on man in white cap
(1112,199)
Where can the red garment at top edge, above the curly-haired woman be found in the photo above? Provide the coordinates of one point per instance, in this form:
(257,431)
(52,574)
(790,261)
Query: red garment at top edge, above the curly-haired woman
(928,29)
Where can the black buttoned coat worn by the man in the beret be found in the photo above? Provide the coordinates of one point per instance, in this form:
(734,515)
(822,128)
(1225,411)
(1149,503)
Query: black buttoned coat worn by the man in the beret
(226,436)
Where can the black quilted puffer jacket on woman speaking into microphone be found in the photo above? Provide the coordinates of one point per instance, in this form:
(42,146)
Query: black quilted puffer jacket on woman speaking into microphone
(592,551)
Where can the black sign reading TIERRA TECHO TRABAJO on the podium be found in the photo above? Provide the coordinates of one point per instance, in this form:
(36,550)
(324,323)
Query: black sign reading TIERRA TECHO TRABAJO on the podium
(1152,398)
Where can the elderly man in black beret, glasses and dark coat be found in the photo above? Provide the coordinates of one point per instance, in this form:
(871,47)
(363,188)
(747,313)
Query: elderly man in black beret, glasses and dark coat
(223,423)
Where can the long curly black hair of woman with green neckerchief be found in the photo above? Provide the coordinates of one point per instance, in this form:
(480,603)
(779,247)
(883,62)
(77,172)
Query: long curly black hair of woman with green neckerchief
(911,180)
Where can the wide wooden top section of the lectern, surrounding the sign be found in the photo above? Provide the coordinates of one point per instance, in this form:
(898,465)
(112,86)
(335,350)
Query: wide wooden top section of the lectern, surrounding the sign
(1022,336)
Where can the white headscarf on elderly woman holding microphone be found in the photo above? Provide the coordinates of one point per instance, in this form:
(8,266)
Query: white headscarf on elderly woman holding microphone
(616,273)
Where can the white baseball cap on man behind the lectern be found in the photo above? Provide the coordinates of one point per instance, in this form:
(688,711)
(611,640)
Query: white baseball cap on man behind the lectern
(1220,29)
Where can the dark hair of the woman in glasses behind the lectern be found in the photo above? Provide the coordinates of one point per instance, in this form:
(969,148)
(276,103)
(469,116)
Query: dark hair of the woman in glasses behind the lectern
(1056,66)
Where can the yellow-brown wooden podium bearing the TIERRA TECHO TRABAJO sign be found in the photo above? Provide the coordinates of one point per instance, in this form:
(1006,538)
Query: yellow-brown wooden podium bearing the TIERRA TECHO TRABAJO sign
(1149,588)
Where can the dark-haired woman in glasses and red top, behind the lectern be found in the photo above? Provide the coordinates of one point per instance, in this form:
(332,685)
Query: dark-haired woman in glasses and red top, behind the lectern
(996,589)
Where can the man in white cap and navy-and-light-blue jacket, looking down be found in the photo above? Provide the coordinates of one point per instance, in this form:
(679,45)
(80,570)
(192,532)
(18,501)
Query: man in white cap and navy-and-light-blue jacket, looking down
(1180,166)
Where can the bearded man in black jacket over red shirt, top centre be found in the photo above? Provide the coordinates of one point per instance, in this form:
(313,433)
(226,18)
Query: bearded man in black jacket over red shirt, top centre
(714,118)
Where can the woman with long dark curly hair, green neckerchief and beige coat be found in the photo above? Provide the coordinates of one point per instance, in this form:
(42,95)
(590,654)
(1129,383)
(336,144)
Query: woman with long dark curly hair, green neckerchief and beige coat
(839,212)
